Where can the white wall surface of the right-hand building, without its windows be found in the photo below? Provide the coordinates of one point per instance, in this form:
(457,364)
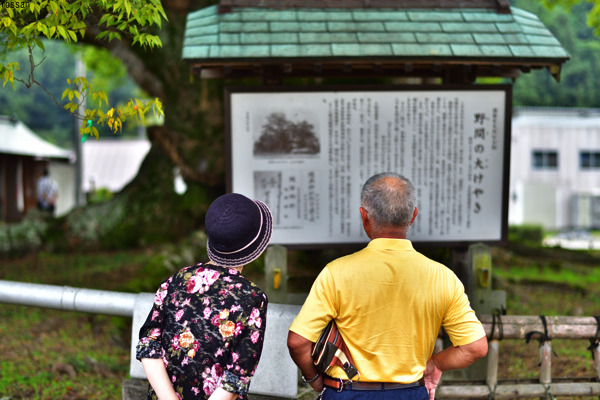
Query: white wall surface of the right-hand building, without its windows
(568,134)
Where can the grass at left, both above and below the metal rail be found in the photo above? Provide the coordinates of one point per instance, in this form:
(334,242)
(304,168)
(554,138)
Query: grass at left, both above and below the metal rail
(53,354)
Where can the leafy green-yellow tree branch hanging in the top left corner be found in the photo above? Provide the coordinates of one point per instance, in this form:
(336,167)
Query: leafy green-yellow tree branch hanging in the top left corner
(23,25)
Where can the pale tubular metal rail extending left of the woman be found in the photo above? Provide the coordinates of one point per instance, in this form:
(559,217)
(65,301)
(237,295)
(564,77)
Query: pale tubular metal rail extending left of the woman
(67,298)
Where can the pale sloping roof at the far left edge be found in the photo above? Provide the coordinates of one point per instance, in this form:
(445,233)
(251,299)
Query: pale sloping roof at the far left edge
(17,138)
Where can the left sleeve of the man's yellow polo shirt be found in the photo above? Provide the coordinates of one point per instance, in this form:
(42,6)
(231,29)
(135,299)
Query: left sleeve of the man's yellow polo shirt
(319,308)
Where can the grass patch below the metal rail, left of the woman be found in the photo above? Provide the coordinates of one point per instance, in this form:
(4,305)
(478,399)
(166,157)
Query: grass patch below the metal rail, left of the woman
(49,354)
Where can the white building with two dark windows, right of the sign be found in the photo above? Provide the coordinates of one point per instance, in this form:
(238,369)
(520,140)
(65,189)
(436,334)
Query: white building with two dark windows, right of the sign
(555,167)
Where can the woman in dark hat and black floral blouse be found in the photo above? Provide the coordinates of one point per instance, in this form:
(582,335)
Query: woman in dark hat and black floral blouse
(204,335)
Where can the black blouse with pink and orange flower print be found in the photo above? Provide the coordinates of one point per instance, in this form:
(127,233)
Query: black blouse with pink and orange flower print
(208,326)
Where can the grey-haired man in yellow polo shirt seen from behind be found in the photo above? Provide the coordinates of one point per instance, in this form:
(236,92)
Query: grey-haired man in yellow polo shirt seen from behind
(389,303)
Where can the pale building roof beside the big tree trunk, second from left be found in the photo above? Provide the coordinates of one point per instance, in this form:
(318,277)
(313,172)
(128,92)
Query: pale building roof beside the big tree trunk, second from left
(111,164)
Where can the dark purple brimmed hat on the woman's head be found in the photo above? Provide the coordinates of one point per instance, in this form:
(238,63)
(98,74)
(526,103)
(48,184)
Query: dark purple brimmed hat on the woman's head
(238,230)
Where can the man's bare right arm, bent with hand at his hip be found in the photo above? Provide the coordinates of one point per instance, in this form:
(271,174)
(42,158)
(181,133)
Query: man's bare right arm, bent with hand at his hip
(455,357)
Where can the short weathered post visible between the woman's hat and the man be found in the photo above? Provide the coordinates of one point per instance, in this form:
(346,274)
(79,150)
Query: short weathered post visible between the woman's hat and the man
(276,274)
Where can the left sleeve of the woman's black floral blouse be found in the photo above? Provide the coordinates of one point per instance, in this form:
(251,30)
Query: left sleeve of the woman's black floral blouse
(149,345)
